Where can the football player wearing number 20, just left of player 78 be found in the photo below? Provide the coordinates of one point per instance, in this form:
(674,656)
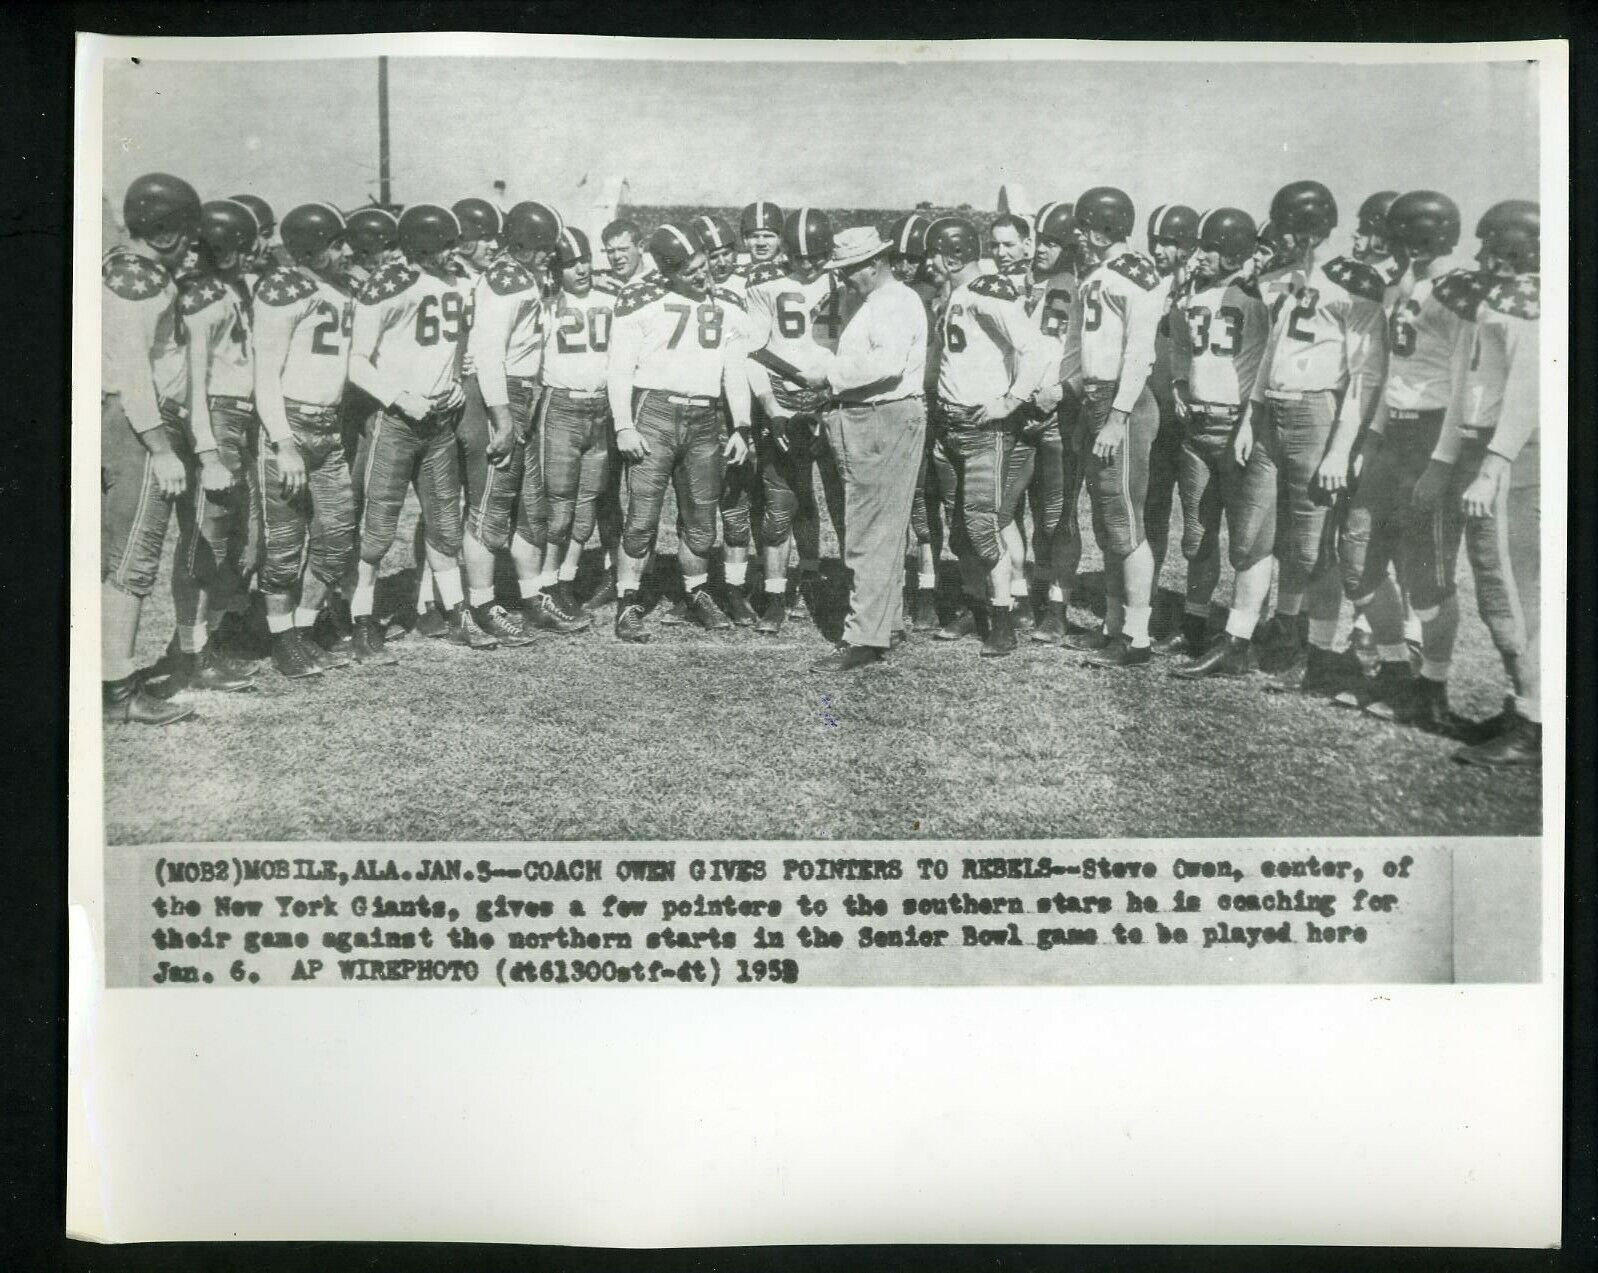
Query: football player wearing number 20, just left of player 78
(574,414)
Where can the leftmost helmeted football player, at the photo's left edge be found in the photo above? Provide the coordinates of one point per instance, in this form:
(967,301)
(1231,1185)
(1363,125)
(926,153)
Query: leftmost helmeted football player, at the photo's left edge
(145,448)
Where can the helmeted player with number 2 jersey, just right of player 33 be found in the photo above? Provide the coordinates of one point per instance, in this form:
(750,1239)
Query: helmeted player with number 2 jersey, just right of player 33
(1319,384)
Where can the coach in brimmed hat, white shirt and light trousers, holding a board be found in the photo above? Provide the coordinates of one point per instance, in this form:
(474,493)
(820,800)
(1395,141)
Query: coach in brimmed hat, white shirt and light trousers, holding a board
(877,424)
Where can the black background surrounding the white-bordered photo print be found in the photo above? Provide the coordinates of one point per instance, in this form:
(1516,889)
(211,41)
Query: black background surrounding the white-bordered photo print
(36,215)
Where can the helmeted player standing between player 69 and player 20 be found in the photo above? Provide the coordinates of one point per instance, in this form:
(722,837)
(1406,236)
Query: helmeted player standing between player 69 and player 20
(504,462)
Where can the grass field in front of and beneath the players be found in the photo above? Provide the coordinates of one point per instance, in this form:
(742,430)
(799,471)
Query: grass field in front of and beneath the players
(731,737)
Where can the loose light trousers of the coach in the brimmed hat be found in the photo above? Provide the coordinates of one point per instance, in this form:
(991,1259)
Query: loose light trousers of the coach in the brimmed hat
(878,450)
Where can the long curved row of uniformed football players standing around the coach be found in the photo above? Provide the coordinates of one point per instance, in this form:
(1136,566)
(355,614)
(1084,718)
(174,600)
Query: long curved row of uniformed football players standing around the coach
(285,410)
